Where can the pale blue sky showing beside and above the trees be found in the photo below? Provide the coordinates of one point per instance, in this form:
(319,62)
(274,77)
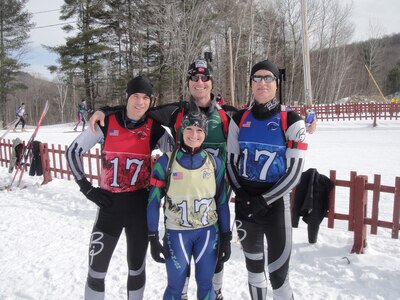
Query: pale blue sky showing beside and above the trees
(382,13)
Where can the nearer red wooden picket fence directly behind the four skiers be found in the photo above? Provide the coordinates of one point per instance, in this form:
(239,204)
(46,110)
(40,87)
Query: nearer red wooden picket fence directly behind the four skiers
(357,215)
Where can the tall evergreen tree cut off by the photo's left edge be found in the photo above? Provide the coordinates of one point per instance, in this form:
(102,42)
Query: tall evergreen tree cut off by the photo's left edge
(14,28)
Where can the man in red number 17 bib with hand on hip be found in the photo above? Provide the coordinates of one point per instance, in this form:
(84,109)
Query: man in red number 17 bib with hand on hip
(127,140)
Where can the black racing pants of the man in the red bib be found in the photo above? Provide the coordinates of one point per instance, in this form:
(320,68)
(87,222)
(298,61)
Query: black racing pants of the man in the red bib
(128,212)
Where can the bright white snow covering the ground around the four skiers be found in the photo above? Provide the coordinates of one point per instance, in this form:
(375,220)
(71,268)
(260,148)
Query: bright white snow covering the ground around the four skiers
(45,230)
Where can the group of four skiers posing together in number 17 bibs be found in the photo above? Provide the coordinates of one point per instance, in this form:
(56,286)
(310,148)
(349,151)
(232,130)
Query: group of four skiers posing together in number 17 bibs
(263,148)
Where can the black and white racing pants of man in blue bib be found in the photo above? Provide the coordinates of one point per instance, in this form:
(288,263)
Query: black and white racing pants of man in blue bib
(277,228)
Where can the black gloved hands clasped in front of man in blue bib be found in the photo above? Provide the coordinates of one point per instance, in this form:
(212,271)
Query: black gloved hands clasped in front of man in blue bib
(251,205)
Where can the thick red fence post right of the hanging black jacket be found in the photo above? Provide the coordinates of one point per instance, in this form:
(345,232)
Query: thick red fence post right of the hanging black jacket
(360,212)
